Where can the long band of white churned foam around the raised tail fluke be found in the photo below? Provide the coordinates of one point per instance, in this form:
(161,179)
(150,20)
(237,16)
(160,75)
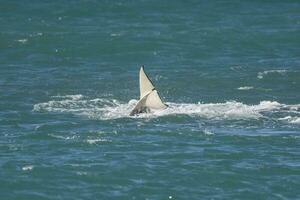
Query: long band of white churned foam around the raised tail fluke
(107,109)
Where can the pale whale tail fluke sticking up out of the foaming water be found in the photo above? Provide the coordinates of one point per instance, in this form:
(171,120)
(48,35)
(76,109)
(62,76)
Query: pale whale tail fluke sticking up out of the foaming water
(149,97)
